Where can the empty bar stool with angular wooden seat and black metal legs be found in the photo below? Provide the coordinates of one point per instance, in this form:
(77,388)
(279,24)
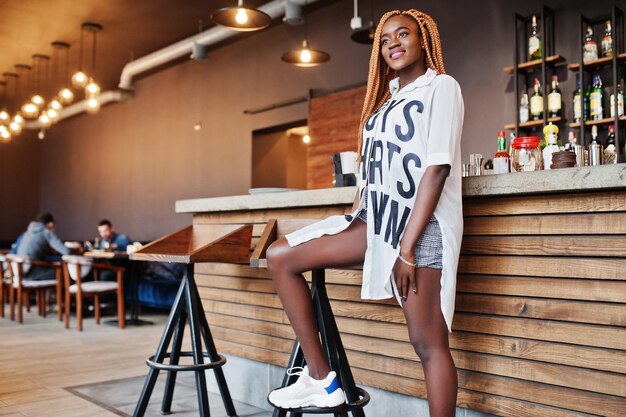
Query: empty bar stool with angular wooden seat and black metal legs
(198,243)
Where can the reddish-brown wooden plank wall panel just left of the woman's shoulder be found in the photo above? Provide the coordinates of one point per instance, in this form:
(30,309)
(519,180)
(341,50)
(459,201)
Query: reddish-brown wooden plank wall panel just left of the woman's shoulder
(333,127)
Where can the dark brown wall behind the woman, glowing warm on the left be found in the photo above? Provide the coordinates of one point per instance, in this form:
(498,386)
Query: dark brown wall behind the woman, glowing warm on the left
(133,160)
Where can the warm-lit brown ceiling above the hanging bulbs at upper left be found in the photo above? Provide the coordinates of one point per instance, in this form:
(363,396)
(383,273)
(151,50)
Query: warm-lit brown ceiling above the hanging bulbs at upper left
(131,29)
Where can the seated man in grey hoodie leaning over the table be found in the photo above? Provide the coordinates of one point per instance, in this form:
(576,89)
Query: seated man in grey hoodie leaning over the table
(38,242)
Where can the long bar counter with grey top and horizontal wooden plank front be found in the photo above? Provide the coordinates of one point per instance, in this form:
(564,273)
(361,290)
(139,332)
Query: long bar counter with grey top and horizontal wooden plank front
(540,321)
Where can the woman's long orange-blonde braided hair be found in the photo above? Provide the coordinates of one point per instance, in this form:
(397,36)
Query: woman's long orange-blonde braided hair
(380,74)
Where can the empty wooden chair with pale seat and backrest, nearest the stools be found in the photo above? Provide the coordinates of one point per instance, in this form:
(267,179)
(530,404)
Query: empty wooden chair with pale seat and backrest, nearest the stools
(75,268)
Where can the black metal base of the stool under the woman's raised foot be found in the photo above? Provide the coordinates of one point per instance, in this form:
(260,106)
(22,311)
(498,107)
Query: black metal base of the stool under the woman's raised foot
(356,397)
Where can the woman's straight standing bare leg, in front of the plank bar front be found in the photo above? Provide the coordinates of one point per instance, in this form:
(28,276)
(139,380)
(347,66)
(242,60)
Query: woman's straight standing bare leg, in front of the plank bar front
(429,336)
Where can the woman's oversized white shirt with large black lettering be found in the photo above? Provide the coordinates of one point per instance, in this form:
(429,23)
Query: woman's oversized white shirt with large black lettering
(419,126)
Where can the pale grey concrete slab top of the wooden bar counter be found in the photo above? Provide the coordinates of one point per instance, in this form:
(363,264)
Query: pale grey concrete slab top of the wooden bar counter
(603,177)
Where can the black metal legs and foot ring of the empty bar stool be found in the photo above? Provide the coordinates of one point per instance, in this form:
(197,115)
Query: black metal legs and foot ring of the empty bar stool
(187,308)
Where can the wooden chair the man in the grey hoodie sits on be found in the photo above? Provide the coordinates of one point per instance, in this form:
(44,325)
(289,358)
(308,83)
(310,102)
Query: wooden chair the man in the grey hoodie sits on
(21,288)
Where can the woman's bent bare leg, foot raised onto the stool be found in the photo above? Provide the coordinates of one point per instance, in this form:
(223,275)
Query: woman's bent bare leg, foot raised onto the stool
(286,265)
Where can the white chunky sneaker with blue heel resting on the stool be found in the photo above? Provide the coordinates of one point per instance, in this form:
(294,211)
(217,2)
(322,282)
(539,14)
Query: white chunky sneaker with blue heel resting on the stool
(308,392)
